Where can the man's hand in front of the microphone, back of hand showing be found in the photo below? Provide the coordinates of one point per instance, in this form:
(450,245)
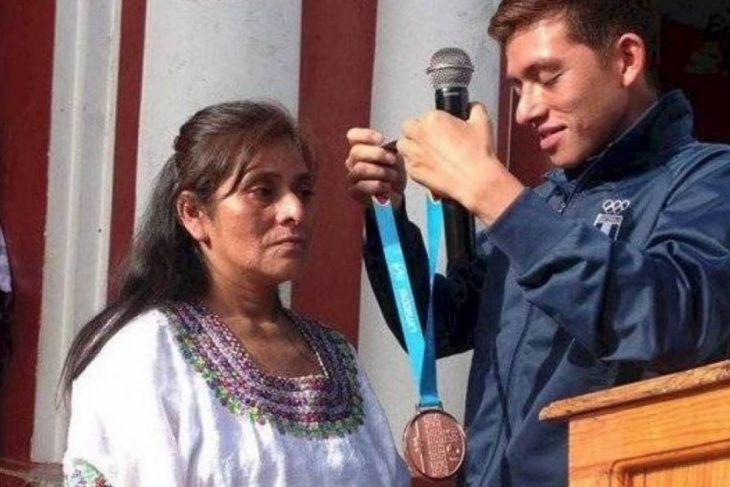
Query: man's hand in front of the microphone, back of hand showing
(457,159)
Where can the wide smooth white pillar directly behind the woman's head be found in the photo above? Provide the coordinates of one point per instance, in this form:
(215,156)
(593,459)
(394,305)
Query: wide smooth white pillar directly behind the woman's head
(201,53)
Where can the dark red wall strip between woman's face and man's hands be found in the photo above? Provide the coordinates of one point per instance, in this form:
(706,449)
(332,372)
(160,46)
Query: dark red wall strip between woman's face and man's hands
(338,46)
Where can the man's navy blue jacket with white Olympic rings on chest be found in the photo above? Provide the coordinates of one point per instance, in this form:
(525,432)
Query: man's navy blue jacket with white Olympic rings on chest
(608,274)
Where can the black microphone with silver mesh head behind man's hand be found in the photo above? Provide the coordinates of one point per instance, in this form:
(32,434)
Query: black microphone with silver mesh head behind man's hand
(450,72)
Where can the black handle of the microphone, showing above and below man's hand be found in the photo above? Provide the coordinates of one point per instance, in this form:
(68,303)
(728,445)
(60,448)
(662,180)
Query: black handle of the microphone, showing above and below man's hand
(458,222)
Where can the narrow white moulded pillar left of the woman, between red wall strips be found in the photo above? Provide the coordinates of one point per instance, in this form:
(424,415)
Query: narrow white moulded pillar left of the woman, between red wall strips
(86,59)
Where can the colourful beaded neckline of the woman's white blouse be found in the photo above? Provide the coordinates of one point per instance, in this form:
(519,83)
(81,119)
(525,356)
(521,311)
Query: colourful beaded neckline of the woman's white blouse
(312,406)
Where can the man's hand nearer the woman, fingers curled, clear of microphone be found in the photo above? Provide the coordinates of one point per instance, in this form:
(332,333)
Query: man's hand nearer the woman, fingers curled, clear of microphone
(371,170)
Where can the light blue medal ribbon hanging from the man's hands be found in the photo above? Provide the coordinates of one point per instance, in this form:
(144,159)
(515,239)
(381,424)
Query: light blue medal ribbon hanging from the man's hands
(419,341)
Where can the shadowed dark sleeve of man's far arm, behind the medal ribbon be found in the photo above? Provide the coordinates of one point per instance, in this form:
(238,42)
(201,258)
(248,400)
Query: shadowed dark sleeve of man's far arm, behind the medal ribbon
(456,297)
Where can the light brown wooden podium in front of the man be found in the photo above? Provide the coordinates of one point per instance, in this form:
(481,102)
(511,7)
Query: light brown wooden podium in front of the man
(672,431)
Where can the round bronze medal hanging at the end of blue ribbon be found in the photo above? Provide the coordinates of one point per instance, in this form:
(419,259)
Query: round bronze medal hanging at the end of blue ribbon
(434,444)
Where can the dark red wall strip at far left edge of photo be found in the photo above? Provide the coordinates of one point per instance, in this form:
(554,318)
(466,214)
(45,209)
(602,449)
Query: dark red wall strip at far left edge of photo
(26,64)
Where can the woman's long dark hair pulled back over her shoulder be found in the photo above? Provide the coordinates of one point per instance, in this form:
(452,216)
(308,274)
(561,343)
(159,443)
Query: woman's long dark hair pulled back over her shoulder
(165,263)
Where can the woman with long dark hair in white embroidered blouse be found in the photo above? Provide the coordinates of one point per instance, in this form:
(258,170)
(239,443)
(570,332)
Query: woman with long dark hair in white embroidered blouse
(196,374)
